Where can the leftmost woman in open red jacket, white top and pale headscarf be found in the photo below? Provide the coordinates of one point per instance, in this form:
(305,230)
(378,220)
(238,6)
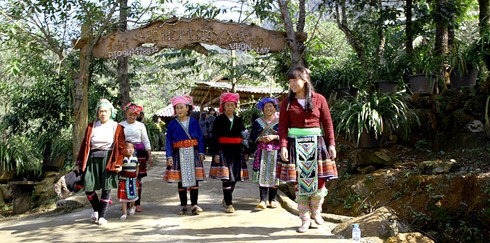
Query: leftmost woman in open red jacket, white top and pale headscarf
(99,157)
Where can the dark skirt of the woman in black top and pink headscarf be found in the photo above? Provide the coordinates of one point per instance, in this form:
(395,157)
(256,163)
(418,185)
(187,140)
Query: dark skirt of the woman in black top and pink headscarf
(232,166)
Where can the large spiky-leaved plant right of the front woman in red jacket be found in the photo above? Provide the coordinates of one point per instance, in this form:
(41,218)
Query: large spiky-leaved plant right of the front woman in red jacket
(369,115)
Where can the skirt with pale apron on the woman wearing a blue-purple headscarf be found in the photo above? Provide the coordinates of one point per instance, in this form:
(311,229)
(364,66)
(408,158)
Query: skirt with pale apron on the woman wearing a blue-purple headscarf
(265,163)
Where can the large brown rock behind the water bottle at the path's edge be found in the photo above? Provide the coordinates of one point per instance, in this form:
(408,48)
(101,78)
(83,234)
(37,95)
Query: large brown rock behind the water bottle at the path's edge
(382,223)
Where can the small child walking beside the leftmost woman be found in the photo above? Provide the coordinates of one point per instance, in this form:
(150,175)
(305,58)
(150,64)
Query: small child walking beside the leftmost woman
(128,188)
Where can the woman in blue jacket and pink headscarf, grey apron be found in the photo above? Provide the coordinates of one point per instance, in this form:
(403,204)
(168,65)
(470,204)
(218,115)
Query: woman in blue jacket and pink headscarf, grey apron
(185,154)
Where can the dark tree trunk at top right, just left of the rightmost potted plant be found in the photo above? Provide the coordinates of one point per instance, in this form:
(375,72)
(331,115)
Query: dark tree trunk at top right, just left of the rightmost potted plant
(442,29)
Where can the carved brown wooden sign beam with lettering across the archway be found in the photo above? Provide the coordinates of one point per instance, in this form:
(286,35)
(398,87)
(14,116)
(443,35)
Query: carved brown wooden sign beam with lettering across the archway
(189,33)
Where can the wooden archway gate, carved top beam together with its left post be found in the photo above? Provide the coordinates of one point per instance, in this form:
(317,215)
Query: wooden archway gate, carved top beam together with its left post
(171,33)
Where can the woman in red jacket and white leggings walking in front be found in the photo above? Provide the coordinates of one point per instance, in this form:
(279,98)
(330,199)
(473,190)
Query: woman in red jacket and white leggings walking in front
(307,145)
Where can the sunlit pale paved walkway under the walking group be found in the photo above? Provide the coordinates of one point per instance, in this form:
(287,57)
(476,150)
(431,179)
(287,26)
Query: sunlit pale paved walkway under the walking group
(160,223)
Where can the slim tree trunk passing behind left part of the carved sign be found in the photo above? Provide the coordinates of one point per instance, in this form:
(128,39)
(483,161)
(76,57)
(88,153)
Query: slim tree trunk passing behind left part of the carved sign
(122,61)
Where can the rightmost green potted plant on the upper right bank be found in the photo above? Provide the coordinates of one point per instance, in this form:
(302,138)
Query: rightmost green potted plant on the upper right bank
(463,66)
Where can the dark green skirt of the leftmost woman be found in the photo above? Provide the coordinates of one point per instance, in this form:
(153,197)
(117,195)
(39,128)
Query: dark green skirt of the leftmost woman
(96,176)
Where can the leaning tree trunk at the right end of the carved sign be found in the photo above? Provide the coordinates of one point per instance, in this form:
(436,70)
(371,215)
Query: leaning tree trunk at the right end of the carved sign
(297,56)
